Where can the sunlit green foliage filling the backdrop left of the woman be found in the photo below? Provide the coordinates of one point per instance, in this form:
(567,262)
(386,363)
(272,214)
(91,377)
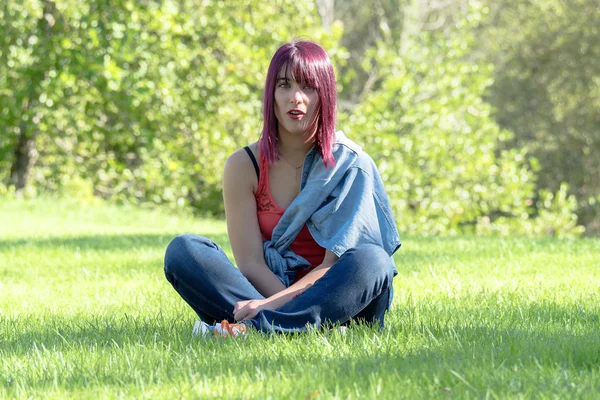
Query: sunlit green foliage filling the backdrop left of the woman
(144,99)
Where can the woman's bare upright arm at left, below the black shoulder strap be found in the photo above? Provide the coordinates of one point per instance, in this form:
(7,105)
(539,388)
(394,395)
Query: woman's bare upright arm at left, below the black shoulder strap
(242,224)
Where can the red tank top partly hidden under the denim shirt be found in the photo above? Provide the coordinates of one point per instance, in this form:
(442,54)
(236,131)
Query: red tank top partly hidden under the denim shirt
(269,214)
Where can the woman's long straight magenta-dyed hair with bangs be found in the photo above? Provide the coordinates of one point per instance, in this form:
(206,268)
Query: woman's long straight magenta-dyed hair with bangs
(308,63)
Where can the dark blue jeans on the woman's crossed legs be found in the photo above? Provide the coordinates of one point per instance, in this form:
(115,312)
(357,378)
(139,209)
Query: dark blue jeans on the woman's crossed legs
(357,287)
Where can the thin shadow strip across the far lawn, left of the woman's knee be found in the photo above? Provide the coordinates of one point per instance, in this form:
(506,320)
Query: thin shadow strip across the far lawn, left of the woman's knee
(101,242)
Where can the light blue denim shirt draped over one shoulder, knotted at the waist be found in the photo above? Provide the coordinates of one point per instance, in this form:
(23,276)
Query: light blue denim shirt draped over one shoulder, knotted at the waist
(343,206)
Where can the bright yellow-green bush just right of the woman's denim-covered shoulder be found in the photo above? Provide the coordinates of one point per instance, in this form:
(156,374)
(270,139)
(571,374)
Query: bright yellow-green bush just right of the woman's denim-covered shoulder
(434,141)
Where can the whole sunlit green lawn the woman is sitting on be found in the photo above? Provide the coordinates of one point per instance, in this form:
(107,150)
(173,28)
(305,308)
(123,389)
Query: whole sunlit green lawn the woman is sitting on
(85,311)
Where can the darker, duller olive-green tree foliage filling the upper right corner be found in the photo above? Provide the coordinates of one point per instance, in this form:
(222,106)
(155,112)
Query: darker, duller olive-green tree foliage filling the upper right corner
(547,89)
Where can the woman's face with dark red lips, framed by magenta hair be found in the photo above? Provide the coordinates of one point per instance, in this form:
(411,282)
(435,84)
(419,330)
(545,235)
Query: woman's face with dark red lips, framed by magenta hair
(296,105)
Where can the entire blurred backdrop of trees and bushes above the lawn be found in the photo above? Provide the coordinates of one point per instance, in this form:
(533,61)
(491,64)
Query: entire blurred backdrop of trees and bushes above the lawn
(483,116)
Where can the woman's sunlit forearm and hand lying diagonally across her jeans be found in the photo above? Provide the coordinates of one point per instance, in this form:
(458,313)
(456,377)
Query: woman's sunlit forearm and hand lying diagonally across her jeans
(248,309)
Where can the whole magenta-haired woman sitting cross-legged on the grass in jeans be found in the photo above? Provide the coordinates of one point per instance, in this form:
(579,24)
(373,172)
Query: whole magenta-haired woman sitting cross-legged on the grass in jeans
(308,218)
